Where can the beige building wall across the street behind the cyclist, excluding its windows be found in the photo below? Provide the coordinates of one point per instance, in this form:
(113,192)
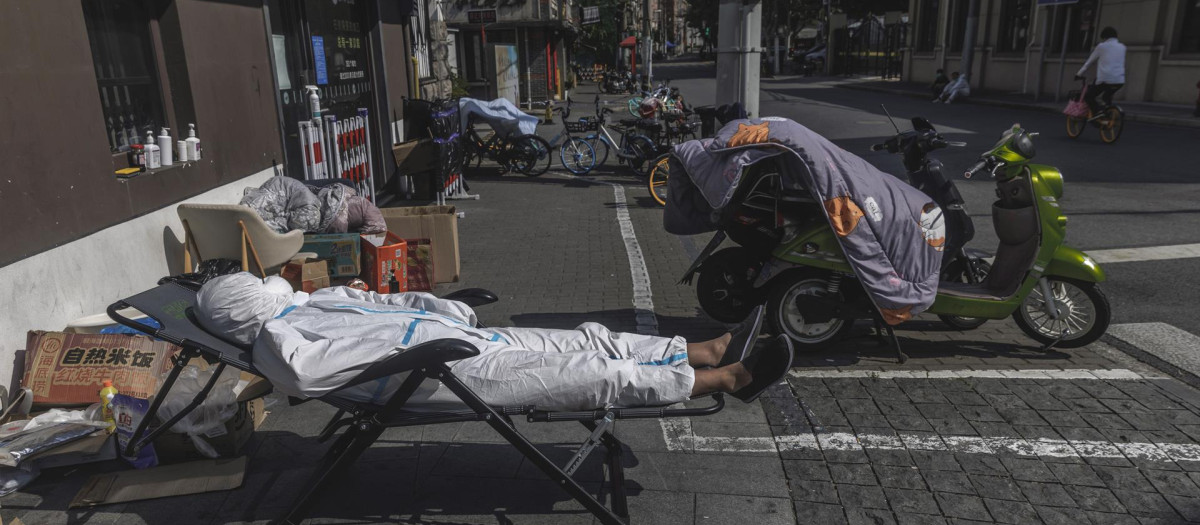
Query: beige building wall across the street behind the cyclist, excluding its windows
(1148,28)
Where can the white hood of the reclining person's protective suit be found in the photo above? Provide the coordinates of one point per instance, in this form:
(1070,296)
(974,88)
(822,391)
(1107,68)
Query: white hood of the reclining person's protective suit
(238,305)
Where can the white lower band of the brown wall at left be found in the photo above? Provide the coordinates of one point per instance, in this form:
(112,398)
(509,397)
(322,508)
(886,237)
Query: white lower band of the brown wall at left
(81,279)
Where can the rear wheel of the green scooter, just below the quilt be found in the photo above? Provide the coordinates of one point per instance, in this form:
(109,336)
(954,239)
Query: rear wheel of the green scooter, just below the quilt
(784,315)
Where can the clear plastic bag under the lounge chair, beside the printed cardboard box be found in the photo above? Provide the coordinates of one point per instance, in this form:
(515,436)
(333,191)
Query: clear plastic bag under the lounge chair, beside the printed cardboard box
(211,417)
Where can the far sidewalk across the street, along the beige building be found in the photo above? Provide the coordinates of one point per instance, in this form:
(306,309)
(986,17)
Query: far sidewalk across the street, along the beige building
(1138,112)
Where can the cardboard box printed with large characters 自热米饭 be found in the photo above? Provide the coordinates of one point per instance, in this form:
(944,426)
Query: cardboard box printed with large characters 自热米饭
(70,369)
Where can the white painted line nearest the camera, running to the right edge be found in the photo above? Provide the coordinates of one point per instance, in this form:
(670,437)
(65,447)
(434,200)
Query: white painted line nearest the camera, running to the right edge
(969,445)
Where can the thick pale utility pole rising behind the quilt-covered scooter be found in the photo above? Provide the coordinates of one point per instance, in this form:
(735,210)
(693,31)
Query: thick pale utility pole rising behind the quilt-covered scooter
(737,53)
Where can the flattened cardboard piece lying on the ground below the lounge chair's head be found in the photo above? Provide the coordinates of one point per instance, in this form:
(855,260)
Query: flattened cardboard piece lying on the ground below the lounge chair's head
(196,478)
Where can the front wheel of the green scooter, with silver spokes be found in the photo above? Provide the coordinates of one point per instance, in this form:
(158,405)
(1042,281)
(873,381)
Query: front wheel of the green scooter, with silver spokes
(1084,315)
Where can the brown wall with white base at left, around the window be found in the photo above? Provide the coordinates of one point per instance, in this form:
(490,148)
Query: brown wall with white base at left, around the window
(75,238)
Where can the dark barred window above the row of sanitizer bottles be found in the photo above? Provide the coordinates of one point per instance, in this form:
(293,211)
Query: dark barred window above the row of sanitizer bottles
(123,56)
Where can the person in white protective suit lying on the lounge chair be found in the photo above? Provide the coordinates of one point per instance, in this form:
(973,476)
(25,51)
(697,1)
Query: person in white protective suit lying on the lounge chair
(309,346)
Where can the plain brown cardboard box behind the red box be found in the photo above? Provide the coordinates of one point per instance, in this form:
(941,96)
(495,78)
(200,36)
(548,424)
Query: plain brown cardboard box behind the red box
(440,225)
